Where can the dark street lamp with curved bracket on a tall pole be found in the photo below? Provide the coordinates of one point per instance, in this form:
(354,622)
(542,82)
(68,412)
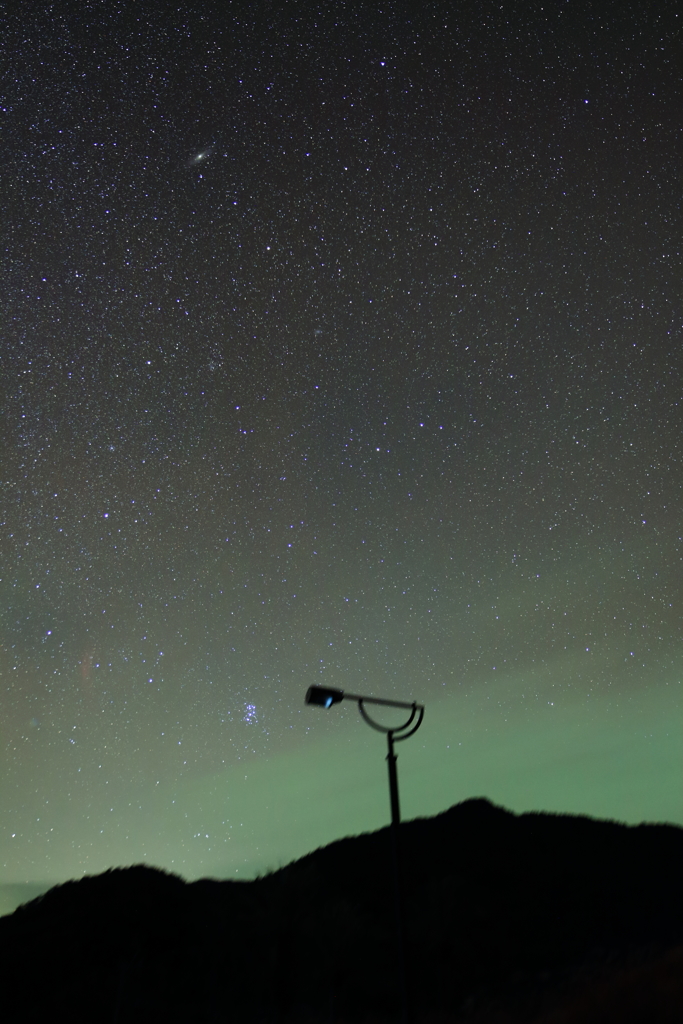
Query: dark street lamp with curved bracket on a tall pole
(326,697)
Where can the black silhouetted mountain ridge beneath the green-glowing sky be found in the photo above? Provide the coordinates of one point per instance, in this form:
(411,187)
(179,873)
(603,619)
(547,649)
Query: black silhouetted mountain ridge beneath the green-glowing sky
(509,918)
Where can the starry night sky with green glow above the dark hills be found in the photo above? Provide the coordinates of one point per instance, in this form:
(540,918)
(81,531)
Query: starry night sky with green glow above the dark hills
(341,345)
